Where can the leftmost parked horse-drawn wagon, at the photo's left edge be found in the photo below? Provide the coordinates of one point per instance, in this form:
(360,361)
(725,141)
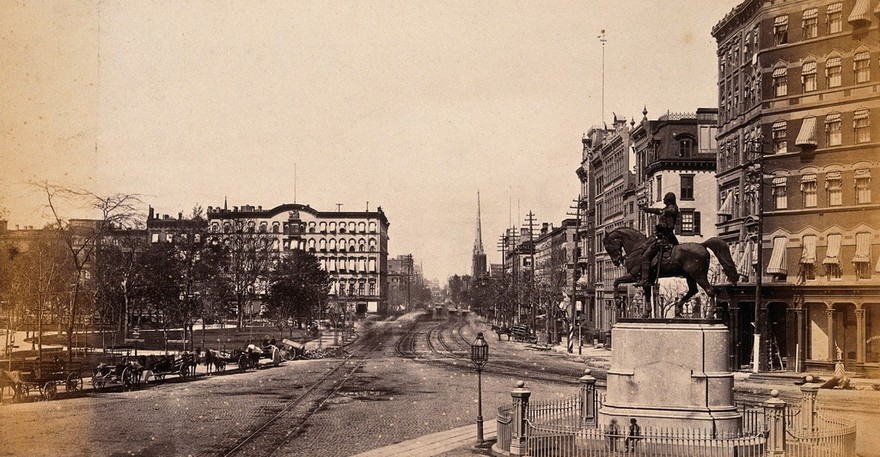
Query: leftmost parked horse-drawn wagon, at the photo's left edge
(43,376)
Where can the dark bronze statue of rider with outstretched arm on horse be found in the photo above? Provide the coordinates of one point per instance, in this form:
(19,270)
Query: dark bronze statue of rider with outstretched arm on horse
(661,256)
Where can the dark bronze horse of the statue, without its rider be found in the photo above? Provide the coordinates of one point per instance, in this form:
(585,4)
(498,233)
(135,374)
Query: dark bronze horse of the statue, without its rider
(690,261)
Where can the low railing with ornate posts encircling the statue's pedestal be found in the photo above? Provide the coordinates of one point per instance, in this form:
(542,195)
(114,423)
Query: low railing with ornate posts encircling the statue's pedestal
(568,428)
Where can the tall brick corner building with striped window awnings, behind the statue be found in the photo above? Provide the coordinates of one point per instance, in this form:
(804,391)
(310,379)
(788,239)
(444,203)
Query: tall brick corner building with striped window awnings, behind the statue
(798,84)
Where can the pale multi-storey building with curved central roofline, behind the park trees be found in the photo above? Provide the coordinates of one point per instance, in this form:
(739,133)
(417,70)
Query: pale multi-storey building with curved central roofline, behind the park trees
(352,246)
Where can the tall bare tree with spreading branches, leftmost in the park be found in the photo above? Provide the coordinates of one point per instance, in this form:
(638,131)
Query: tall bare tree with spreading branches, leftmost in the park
(80,237)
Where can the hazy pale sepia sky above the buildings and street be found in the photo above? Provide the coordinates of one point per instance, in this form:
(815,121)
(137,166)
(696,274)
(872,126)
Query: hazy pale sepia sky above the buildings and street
(412,106)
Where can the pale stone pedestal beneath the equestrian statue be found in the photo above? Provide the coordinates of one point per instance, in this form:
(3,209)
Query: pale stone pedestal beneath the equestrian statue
(671,373)
